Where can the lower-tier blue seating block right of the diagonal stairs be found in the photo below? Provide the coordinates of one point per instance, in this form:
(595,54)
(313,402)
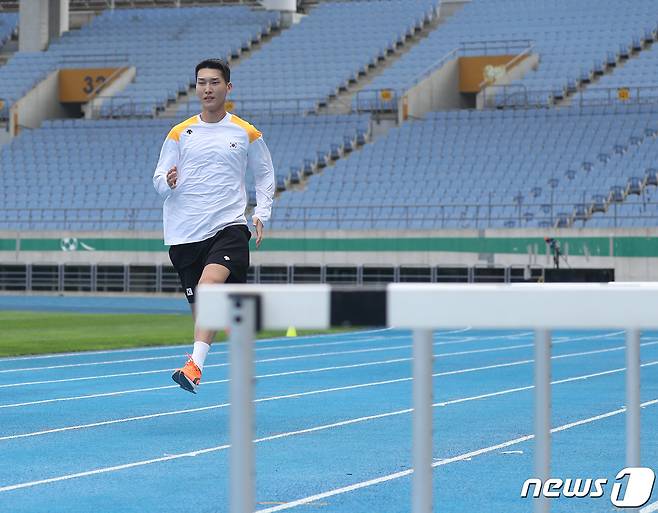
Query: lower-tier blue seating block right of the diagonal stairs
(481,169)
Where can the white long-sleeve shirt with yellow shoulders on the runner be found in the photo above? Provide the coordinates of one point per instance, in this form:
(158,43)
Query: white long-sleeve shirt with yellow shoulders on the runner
(212,160)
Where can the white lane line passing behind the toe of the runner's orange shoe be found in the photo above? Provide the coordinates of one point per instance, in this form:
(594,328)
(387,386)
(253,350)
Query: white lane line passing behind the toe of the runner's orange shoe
(321,369)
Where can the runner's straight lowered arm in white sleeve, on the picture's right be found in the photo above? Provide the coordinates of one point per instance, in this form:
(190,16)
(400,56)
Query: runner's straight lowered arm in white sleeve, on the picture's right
(260,163)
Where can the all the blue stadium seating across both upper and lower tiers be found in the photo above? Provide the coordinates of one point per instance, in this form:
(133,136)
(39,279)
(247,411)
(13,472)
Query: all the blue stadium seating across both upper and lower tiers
(538,168)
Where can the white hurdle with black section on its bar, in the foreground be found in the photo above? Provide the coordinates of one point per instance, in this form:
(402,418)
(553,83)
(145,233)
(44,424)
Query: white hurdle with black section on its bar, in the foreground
(423,308)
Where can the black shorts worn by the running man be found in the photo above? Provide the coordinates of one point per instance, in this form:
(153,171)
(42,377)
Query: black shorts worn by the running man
(230,248)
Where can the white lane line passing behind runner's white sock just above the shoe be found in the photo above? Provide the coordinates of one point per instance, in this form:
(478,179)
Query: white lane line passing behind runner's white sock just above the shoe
(272,348)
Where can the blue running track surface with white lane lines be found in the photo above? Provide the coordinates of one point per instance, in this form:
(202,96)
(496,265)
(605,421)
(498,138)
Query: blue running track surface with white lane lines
(110,432)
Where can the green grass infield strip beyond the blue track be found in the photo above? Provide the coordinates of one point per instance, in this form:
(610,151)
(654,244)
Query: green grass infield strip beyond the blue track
(25,333)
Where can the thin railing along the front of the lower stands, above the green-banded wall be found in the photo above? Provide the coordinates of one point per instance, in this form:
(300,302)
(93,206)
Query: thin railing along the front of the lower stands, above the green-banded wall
(435,216)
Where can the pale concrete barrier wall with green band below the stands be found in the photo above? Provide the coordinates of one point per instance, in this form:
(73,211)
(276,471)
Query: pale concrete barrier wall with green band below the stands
(632,253)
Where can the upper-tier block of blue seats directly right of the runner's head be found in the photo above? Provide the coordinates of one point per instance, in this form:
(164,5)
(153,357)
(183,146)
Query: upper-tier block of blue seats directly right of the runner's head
(304,65)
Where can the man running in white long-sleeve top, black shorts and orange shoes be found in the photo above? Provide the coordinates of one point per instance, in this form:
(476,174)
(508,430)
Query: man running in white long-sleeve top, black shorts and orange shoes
(201,177)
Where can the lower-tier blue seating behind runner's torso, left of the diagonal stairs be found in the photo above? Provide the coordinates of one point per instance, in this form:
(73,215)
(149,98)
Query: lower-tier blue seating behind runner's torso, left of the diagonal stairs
(92,175)
